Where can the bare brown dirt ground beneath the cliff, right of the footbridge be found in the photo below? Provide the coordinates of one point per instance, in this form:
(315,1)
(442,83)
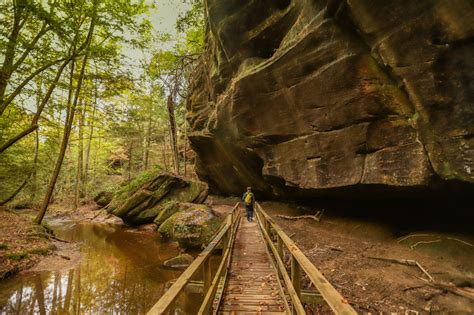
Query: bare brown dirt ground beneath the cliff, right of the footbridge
(341,246)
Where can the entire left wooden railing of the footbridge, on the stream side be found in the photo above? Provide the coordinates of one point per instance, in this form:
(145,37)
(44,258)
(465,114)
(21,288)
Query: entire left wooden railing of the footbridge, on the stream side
(202,262)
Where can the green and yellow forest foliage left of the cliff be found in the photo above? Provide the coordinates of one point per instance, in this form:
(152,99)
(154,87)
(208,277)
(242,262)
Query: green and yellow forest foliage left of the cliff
(125,130)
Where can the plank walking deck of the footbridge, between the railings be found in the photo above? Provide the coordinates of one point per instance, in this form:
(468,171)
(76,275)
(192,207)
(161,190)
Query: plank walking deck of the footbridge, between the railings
(252,286)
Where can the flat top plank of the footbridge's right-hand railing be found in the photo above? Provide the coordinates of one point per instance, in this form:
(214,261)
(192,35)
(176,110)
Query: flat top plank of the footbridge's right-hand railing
(333,298)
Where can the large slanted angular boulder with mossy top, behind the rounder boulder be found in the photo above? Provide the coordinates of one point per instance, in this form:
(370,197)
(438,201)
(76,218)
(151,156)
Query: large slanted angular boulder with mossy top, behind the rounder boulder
(154,196)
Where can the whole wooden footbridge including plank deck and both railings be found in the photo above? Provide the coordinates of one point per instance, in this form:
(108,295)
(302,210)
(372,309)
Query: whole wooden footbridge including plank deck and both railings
(246,281)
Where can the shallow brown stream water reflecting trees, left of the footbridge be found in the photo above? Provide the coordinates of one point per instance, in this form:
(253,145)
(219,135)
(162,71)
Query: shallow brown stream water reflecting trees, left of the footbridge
(120,272)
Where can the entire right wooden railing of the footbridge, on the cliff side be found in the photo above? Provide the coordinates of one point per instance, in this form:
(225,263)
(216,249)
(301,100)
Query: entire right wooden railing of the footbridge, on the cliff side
(299,263)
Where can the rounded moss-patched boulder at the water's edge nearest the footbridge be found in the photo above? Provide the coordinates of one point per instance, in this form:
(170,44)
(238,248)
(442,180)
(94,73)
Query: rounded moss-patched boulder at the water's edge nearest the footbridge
(192,227)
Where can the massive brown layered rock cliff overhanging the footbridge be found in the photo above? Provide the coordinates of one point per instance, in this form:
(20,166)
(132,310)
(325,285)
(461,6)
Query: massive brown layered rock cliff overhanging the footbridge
(307,97)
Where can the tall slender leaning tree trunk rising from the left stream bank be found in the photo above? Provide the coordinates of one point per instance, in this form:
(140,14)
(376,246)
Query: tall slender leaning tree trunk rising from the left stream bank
(68,123)
